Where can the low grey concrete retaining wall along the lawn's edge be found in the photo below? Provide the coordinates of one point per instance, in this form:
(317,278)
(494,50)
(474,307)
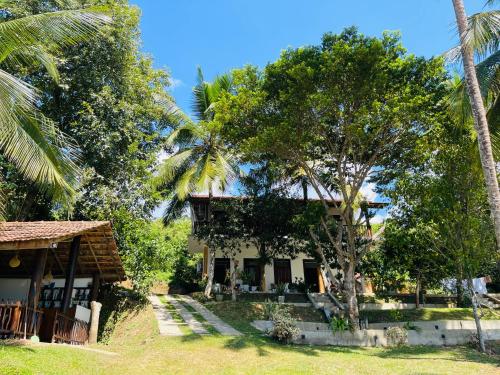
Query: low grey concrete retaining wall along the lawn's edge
(447,333)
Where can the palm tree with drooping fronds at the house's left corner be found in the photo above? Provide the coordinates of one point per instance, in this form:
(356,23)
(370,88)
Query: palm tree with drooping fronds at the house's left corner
(202,160)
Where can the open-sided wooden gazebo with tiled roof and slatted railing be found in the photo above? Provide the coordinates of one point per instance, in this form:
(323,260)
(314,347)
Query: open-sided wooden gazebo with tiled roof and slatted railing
(65,249)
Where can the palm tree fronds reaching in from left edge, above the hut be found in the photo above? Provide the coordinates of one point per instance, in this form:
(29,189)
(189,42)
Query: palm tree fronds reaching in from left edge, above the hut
(33,143)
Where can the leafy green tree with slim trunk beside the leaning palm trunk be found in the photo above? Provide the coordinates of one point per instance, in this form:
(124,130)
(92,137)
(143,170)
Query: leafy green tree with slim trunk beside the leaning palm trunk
(443,205)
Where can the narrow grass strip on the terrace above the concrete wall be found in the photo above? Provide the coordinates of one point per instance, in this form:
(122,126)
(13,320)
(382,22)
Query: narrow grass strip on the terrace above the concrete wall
(382,316)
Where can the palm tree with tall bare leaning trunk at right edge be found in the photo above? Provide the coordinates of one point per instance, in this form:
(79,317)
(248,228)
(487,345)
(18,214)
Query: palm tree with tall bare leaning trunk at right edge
(473,35)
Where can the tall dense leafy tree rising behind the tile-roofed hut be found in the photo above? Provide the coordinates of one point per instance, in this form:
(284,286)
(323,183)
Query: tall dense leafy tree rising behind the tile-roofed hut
(114,104)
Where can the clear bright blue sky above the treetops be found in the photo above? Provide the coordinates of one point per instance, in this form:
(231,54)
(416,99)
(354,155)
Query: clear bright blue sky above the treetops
(219,35)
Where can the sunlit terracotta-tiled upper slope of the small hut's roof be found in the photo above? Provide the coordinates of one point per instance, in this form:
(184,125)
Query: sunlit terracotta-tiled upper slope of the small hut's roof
(15,231)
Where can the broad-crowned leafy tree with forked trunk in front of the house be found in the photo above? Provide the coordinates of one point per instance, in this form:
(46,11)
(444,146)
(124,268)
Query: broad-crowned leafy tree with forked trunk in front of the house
(343,111)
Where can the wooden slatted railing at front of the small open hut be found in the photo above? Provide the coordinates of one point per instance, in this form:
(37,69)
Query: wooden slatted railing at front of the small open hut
(17,320)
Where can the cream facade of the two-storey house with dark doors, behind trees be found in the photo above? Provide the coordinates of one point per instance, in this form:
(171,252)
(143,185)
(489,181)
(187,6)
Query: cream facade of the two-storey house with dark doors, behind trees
(302,268)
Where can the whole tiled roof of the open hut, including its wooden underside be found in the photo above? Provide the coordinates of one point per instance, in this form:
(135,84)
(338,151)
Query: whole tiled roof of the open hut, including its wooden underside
(98,250)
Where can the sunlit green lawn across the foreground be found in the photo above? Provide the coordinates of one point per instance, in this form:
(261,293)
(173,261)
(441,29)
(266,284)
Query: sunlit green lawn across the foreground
(142,351)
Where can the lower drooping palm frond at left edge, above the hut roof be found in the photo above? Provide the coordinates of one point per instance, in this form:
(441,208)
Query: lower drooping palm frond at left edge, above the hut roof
(32,142)
